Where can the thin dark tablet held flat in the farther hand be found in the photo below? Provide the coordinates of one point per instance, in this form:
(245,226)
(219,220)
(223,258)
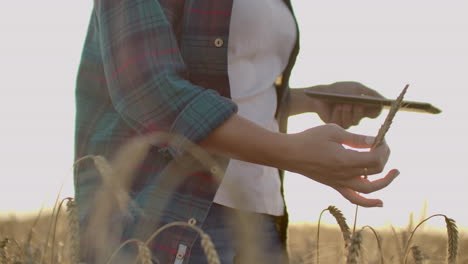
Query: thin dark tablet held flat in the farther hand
(410,106)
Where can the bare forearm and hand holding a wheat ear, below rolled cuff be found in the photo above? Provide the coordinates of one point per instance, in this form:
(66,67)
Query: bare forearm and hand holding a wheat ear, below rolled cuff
(316,153)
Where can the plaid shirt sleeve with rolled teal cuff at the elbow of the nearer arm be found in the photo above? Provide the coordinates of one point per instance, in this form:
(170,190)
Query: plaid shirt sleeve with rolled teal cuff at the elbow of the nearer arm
(144,71)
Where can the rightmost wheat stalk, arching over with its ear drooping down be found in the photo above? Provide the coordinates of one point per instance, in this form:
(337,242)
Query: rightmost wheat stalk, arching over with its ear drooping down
(452,233)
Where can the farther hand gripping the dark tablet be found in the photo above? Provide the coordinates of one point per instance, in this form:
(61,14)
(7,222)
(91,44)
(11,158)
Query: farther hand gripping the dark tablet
(344,115)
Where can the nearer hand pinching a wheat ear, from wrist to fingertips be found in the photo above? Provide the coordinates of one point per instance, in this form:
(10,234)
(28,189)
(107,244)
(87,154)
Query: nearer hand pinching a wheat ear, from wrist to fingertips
(318,154)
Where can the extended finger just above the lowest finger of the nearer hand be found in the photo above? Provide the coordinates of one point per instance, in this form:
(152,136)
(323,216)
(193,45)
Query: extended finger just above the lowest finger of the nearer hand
(364,185)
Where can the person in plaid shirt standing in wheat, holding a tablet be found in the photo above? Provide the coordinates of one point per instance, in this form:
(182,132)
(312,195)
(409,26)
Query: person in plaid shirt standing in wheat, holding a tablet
(206,70)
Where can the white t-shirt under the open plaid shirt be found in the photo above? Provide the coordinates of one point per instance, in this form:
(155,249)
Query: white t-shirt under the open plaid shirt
(261,39)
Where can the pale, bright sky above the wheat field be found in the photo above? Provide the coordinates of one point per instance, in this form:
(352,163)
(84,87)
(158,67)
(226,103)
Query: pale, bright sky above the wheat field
(383,44)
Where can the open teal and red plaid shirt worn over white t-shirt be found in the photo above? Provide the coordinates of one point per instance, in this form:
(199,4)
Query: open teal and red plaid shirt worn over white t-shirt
(157,66)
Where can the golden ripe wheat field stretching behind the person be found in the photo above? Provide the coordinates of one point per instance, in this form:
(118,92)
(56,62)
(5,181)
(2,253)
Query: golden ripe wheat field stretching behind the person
(24,241)
